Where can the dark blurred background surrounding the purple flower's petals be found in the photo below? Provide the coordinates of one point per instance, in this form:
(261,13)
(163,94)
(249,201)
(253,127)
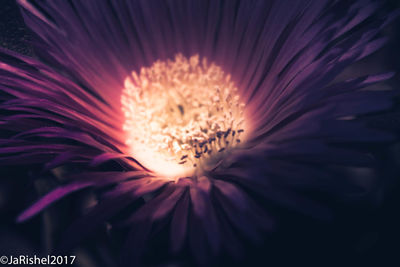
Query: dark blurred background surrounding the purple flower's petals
(365,233)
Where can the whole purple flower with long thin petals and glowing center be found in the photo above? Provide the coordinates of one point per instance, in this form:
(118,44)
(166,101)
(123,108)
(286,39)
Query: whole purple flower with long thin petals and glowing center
(212,109)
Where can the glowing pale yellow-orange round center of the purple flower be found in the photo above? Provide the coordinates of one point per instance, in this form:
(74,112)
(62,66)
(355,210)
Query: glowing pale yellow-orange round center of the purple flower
(181,116)
